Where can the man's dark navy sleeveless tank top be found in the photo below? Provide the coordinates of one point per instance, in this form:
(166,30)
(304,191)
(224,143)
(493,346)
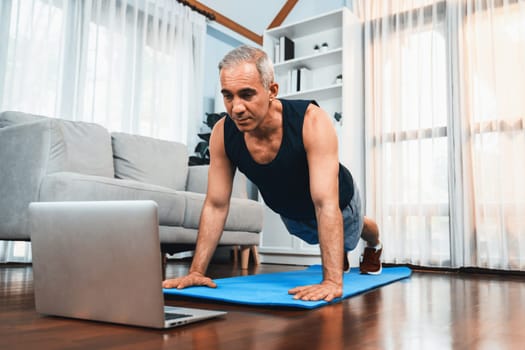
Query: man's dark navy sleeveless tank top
(284,182)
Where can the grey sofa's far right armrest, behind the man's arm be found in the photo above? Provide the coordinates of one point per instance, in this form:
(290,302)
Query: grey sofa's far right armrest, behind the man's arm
(198,182)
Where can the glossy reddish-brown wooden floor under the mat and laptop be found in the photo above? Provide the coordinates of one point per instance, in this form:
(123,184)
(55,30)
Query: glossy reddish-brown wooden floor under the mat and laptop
(428,311)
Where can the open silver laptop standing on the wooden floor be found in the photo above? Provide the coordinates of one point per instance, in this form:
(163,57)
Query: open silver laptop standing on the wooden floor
(101,261)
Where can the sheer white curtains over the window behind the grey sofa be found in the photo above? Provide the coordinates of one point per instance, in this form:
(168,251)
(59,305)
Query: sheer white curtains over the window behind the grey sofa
(134,66)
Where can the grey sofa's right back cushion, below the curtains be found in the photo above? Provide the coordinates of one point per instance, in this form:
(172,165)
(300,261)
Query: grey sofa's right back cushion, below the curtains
(149,160)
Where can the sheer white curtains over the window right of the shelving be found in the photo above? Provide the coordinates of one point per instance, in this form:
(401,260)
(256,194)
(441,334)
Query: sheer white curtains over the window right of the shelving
(445,130)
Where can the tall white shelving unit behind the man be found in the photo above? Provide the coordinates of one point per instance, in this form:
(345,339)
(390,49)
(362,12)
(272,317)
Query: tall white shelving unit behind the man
(341,31)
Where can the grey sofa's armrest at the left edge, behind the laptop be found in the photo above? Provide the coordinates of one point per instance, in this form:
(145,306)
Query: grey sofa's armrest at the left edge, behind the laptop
(24,153)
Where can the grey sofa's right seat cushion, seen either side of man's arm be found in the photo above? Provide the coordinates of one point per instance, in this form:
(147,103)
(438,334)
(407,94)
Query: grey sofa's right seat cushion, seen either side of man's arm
(244,214)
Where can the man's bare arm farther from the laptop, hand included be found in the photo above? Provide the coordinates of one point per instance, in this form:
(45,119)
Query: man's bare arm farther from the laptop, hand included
(320,141)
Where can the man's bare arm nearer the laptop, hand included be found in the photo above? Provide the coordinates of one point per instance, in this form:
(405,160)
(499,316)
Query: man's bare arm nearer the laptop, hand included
(213,215)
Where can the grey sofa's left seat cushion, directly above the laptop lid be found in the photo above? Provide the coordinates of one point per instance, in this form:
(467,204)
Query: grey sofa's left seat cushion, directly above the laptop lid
(79,187)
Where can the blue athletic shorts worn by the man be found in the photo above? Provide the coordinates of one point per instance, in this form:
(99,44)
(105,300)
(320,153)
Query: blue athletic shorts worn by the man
(352,222)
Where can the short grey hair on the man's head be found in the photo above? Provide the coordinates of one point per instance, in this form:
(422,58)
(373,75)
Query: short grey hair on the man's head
(250,54)
